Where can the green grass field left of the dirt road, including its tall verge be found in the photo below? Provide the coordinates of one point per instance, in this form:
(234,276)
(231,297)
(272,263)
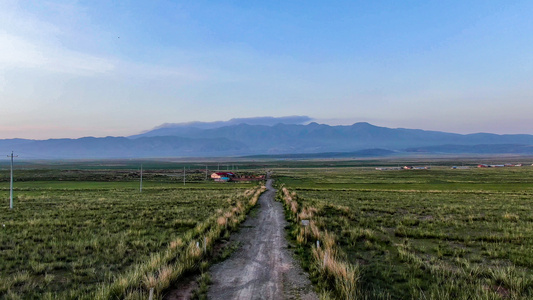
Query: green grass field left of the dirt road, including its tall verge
(92,234)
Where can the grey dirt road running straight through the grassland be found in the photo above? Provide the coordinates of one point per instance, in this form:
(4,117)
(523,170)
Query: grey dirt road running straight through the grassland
(263,267)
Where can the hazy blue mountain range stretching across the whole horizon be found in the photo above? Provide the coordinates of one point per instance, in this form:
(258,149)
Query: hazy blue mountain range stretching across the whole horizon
(279,137)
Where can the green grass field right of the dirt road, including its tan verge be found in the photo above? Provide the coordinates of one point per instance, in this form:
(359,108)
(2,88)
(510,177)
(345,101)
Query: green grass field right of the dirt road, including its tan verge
(415,234)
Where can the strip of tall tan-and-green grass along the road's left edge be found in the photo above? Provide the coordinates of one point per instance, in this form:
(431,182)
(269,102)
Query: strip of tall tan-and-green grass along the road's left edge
(184,254)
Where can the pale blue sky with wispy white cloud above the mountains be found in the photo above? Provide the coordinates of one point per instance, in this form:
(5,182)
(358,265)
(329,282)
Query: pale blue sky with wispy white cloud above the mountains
(70,69)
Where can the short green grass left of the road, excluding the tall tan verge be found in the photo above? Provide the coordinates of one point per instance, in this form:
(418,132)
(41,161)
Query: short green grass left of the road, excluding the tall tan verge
(68,237)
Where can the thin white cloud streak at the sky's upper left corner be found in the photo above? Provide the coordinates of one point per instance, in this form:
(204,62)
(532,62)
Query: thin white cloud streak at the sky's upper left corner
(29,42)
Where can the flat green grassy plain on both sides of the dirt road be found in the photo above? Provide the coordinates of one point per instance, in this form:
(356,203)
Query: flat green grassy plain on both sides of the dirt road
(86,232)
